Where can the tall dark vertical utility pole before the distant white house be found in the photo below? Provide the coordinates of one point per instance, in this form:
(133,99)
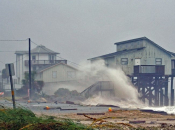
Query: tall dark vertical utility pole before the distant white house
(30,90)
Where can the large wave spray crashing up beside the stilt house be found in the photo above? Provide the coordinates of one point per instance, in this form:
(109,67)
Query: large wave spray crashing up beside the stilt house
(126,94)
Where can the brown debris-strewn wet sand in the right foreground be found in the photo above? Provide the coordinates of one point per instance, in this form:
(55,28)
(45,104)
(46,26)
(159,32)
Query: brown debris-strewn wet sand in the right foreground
(125,116)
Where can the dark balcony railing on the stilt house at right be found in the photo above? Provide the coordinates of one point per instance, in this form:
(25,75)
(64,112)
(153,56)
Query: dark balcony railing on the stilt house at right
(149,70)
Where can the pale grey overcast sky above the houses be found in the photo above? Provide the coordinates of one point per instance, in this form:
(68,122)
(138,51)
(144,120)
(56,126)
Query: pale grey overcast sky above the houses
(82,29)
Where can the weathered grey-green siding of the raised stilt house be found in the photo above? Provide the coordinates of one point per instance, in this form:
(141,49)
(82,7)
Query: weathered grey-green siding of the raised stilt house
(147,56)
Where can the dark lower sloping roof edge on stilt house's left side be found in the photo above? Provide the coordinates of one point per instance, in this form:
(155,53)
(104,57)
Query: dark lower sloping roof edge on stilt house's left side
(117,53)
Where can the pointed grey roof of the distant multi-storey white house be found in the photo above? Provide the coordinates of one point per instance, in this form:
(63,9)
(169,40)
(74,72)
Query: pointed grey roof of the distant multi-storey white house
(38,50)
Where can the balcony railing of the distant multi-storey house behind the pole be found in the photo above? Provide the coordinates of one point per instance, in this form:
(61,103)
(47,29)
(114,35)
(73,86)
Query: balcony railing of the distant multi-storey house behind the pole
(44,62)
